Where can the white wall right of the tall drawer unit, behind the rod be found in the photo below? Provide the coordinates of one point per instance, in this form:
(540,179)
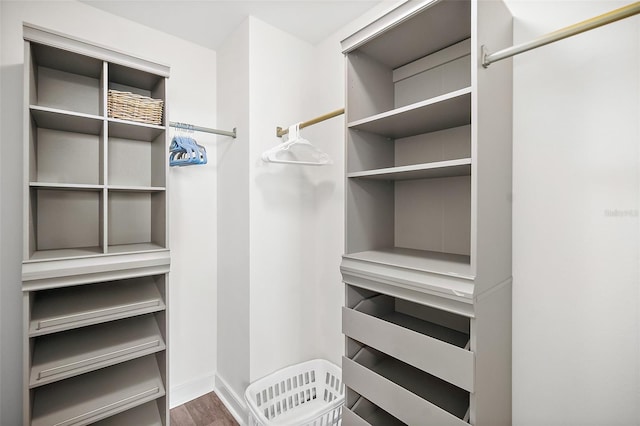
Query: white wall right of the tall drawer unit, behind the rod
(576,327)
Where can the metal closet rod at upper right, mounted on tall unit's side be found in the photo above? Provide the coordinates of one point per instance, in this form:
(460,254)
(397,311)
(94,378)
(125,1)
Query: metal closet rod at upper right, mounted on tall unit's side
(571,30)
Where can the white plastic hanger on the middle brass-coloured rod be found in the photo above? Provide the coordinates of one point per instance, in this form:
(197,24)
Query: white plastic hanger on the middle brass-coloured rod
(296,150)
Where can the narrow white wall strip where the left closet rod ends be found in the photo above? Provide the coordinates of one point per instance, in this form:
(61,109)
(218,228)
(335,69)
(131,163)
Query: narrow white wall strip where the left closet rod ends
(232,374)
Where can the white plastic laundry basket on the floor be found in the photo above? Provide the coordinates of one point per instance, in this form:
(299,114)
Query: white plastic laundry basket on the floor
(306,394)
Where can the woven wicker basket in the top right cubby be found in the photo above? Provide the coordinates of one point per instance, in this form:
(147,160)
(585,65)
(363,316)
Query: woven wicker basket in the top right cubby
(133,107)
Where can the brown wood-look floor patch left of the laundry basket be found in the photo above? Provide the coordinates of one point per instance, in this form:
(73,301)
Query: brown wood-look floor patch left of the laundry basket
(207,410)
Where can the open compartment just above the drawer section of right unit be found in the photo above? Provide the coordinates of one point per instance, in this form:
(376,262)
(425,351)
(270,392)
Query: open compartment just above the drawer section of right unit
(428,215)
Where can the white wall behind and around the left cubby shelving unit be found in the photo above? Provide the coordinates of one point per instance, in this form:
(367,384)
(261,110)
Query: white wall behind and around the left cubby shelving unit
(192,94)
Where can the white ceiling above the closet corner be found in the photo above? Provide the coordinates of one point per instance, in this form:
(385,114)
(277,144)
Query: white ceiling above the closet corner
(209,22)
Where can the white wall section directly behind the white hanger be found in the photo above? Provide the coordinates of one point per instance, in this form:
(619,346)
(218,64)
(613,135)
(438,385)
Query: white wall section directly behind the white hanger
(282,205)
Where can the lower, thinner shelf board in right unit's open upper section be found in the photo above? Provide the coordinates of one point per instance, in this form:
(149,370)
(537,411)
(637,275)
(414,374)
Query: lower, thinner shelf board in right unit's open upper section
(440,169)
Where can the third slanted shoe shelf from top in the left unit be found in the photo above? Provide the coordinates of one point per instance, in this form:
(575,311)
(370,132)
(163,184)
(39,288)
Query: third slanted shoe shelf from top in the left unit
(97,395)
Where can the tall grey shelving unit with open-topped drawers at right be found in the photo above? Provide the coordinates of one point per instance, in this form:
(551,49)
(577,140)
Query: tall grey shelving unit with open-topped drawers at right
(427,263)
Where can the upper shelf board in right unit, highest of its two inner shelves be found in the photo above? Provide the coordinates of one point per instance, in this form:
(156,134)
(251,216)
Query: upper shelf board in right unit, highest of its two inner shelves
(442,112)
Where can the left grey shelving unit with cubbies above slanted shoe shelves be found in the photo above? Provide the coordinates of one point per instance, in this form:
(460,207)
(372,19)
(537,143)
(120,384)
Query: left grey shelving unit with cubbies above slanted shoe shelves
(96,254)
